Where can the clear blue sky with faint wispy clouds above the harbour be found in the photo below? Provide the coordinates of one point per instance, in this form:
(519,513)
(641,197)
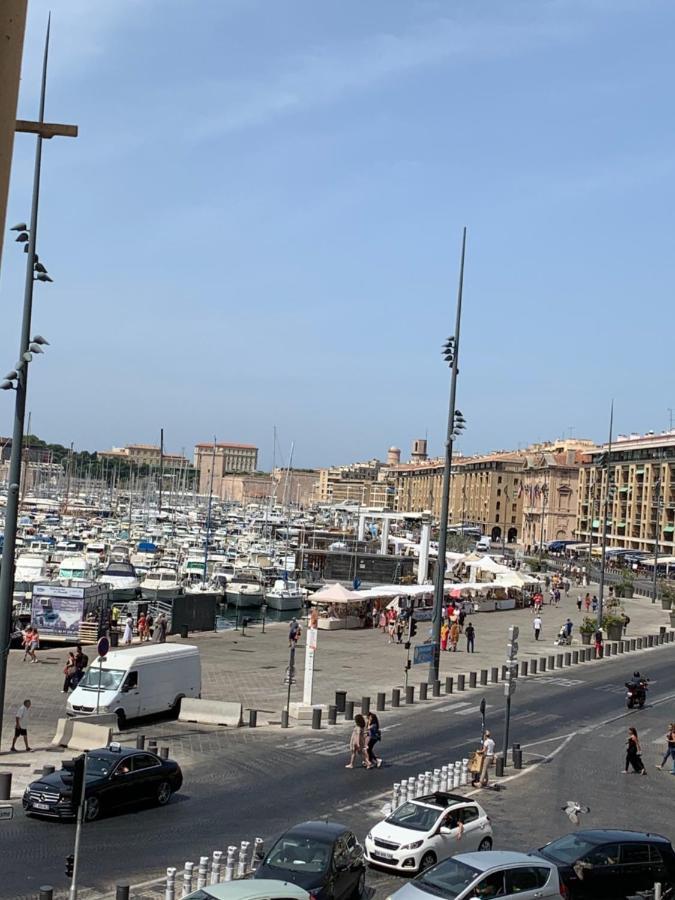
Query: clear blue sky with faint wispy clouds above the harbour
(260,222)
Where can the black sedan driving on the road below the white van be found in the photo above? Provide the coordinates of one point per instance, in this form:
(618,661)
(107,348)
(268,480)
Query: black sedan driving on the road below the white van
(116,777)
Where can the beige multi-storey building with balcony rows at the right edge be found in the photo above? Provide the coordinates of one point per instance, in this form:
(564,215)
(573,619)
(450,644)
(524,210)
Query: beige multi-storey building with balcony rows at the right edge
(641,483)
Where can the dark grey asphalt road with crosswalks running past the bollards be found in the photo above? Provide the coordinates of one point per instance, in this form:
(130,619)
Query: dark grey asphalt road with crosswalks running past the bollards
(270,780)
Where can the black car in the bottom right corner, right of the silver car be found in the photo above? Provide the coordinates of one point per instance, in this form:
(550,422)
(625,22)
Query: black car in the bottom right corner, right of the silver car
(599,864)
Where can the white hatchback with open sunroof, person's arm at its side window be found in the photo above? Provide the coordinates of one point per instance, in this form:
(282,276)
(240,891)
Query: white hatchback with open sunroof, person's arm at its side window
(424,831)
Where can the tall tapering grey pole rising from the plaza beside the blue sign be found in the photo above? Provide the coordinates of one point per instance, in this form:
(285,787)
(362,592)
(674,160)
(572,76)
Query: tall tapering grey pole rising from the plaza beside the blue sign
(434,665)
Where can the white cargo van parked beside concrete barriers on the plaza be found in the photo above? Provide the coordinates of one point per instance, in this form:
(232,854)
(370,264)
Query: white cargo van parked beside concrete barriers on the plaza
(139,681)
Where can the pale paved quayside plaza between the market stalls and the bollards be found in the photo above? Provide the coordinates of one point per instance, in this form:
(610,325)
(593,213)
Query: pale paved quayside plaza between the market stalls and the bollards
(251,668)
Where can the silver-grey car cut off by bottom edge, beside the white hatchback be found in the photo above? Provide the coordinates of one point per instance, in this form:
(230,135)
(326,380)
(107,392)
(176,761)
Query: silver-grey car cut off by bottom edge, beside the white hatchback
(495,873)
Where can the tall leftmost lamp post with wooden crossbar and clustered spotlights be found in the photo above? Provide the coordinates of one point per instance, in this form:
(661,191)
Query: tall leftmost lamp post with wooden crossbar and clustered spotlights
(35,271)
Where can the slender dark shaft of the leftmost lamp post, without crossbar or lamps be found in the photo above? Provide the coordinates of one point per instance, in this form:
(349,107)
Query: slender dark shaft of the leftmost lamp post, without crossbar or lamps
(14,476)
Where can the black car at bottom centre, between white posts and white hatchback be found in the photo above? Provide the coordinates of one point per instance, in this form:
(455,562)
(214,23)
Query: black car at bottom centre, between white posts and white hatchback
(324,858)
